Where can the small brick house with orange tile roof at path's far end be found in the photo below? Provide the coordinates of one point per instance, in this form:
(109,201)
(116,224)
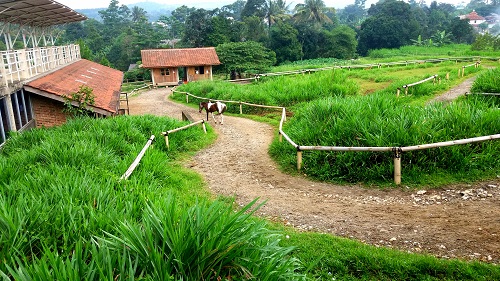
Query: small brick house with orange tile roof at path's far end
(171,66)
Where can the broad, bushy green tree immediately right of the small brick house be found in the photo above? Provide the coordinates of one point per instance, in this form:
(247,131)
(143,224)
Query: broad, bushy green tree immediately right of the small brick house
(249,56)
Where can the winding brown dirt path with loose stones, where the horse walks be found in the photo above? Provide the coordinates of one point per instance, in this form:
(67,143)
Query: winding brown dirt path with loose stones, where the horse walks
(454,221)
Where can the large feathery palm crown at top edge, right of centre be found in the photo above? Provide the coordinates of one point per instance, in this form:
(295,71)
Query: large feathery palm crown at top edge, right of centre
(312,11)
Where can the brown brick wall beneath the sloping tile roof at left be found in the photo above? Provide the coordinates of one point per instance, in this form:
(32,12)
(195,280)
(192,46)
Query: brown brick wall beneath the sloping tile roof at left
(48,113)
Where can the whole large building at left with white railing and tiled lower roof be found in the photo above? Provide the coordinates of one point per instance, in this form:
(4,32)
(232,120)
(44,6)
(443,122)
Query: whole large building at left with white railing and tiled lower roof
(35,77)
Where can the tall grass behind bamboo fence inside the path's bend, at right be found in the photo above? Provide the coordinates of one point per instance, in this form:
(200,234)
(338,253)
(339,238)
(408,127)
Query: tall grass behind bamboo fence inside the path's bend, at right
(383,120)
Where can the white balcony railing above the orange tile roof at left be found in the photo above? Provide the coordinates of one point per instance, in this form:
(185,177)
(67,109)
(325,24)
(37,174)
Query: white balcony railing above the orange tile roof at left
(19,65)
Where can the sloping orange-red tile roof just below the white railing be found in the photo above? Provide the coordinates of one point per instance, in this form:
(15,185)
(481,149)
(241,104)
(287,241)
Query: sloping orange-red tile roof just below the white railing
(104,81)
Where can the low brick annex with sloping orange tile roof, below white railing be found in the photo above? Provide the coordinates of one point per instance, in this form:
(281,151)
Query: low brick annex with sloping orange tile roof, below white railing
(47,93)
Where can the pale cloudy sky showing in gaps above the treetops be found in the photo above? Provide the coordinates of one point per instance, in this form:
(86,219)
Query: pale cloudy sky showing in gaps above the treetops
(86,4)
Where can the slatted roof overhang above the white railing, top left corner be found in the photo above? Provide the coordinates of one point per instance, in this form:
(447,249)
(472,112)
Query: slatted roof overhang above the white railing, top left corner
(39,13)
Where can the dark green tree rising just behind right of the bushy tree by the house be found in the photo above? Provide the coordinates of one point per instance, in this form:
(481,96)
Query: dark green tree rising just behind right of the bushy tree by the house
(284,42)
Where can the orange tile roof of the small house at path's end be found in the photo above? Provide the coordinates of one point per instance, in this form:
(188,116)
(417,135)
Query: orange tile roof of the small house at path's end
(179,57)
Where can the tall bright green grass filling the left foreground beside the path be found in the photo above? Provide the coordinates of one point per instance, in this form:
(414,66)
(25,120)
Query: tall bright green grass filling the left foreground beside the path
(64,212)
